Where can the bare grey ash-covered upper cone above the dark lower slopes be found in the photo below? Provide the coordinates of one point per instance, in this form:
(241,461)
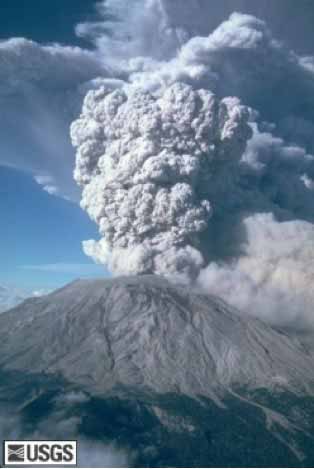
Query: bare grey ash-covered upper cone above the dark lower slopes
(145,332)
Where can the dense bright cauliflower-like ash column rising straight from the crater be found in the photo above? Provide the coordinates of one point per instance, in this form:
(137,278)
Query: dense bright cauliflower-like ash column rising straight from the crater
(146,164)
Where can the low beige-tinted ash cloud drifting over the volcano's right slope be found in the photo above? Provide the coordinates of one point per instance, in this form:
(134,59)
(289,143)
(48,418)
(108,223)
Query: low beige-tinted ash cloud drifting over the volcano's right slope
(273,278)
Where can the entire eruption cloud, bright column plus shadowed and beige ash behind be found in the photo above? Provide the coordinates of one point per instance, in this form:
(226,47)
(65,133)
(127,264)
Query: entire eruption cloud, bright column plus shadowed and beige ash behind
(198,163)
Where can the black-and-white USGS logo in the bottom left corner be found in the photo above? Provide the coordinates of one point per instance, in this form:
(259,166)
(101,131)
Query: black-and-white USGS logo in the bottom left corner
(40,453)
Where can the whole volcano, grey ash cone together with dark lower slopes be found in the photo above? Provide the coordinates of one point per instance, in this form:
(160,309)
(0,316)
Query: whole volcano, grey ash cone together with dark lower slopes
(168,375)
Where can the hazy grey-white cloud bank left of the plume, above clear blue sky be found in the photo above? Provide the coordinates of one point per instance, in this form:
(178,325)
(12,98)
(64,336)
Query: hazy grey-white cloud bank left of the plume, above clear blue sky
(39,95)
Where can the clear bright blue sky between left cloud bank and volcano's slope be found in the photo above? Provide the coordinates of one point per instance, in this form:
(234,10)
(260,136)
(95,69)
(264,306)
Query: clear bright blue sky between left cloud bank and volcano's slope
(41,235)
